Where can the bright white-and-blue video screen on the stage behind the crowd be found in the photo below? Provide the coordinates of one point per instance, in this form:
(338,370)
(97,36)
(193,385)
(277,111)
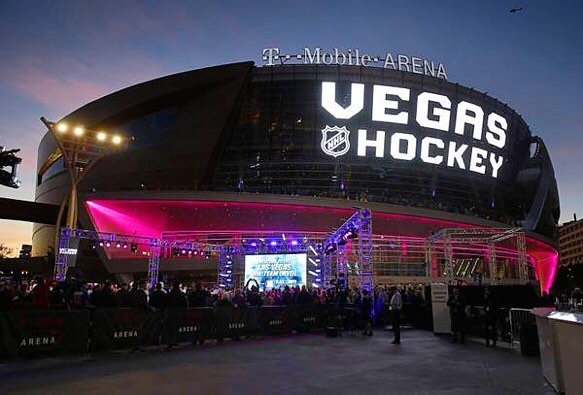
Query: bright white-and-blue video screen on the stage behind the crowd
(276,270)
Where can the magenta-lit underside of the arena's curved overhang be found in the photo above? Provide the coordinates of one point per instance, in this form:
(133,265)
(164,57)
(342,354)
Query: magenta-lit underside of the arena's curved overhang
(151,218)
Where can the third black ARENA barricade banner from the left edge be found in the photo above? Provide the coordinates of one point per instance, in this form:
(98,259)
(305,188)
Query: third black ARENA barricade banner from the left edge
(188,325)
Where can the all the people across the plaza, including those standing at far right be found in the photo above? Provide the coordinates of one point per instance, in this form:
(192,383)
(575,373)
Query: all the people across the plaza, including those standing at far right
(389,304)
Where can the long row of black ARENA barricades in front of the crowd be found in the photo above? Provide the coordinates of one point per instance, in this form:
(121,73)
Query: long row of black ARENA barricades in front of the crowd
(42,332)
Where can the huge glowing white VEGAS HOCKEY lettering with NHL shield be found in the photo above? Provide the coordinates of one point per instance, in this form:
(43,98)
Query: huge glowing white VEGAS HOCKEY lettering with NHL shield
(456,134)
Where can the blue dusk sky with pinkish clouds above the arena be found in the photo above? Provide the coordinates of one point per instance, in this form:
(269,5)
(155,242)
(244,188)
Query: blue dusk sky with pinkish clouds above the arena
(60,55)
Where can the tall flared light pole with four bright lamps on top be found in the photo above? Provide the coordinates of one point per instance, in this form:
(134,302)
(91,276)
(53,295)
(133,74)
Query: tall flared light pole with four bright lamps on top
(80,149)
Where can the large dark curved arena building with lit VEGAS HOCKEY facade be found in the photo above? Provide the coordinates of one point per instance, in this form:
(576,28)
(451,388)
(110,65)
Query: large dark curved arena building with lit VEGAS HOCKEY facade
(283,153)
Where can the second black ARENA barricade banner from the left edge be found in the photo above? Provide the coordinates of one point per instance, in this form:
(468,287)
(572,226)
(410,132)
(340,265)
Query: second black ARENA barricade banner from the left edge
(124,328)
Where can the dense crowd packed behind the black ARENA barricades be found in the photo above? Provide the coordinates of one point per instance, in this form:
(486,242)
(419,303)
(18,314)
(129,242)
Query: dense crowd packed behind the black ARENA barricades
(73,294)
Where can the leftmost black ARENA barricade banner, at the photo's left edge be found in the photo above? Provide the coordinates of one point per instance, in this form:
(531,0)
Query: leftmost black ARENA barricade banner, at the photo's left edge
(29,333)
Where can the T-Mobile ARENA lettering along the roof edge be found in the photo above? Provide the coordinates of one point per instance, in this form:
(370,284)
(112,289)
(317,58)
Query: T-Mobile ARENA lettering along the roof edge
(354,57)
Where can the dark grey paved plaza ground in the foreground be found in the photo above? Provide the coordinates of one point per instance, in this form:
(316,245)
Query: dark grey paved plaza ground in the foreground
(300,364)
